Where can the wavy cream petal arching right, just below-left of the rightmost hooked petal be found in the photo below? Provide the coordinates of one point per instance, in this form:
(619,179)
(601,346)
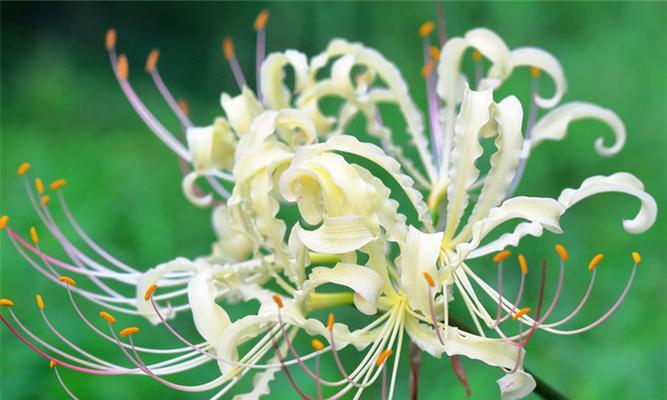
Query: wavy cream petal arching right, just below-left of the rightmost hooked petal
(543,211)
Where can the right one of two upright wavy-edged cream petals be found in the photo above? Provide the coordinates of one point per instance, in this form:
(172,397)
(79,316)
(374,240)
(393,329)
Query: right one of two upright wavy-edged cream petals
(508,116)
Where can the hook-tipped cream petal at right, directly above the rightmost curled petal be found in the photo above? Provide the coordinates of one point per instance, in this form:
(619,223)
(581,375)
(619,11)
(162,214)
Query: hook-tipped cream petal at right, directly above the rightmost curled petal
(554,125)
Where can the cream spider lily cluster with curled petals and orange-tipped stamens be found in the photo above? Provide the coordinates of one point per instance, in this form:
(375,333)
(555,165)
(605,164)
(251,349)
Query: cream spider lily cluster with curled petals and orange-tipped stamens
(311,218)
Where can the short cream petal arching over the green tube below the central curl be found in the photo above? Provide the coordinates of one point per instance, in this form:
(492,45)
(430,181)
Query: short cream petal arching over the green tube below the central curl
(364,281)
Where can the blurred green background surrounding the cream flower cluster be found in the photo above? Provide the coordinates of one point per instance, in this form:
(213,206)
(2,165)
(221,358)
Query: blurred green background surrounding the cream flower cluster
(62,110)
